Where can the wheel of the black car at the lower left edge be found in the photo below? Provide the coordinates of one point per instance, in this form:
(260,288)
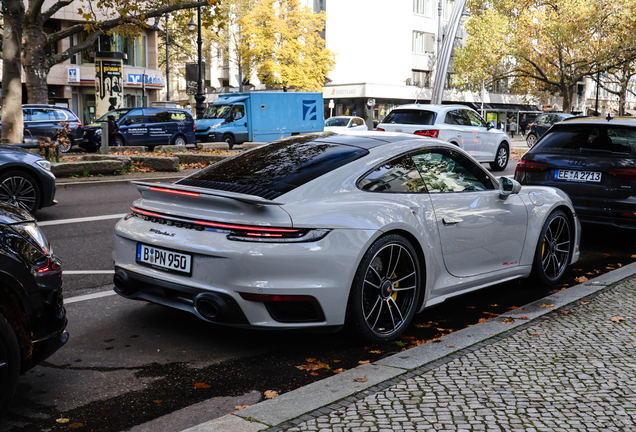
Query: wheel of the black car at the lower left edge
(9,364)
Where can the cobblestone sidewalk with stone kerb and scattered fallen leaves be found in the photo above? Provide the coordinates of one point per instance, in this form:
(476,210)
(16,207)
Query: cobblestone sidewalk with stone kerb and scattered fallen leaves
(566,363)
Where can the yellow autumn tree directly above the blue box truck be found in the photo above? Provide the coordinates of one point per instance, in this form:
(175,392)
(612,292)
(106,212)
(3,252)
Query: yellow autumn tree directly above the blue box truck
(285,43)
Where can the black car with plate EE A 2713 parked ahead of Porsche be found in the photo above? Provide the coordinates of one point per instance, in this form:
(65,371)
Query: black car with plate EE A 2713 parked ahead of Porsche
(593,160)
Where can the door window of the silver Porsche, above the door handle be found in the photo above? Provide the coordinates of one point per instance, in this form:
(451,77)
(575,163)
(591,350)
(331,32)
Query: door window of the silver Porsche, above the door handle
(445,170)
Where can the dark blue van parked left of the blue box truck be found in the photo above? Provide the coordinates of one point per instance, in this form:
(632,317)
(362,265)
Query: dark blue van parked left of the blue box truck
(148,127)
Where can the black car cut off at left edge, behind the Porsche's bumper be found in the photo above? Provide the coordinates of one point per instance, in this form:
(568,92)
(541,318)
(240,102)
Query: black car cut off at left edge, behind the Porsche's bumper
(32,315)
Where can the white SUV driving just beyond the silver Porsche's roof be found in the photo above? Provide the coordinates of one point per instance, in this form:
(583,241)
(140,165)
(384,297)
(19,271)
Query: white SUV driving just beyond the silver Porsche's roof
(457,124)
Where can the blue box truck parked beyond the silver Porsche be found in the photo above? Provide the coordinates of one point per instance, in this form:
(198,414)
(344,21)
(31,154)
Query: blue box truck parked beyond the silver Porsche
(260,117)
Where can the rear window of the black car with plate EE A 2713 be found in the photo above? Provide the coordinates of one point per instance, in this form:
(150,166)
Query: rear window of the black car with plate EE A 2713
(577,139)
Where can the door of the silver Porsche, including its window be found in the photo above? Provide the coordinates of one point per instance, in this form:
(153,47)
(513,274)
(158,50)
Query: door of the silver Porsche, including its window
(479,231)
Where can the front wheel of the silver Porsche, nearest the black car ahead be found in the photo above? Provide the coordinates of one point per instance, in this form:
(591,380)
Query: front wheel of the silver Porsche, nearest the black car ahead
(553,249)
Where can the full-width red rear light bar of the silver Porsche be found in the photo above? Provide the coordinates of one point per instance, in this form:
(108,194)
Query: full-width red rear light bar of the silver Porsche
(237,232)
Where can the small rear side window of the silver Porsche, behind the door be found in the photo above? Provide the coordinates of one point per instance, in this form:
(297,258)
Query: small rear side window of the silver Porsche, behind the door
(395,176)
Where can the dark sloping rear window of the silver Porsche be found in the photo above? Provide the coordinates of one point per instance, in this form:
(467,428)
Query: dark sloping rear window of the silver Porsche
(277,168)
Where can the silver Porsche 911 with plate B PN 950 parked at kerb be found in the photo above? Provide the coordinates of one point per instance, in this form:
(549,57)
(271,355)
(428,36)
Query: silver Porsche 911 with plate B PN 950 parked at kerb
(320,230)
